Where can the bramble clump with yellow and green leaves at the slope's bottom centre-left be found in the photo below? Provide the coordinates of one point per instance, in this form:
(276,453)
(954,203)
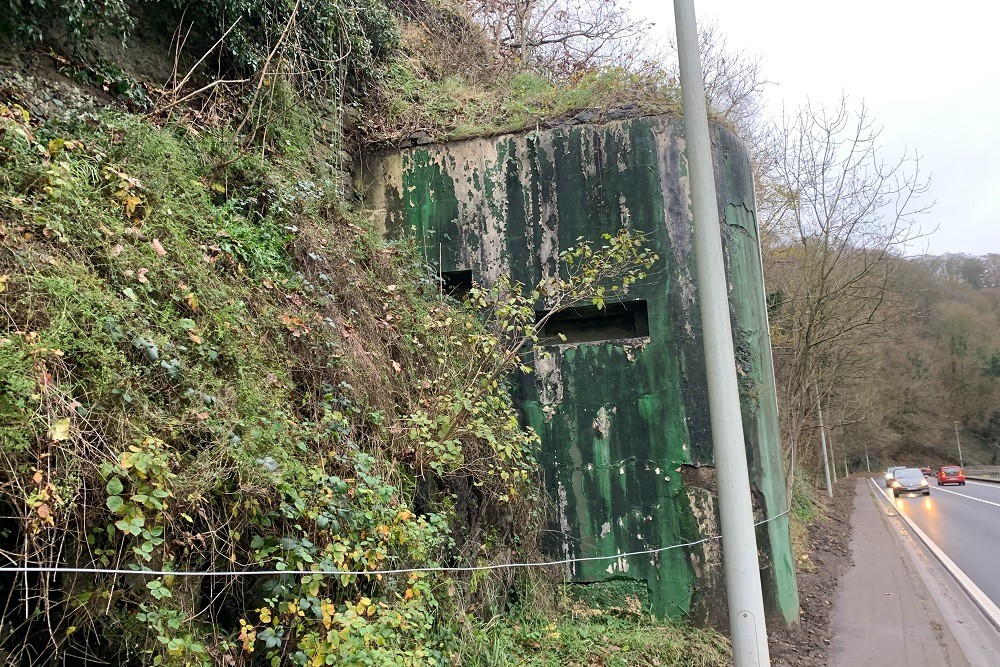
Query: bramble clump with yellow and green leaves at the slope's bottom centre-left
(351,525)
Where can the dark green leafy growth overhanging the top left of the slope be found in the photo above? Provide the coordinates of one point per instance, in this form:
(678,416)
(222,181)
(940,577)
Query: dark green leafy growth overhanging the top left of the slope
(323,41)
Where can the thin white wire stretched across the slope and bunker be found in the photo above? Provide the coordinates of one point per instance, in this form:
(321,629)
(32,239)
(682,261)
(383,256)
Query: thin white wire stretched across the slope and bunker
(21,569)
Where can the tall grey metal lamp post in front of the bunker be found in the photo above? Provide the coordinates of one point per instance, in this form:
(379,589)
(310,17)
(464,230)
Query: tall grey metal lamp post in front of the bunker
(739,544)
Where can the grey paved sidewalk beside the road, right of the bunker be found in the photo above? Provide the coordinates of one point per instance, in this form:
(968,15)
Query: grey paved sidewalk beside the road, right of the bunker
(883,612)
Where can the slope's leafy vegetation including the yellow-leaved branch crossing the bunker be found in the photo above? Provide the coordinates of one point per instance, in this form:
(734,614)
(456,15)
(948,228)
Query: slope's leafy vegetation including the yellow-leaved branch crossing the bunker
(206,364)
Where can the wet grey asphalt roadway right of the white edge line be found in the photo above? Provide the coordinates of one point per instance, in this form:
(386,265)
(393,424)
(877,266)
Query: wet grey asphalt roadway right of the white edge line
(964,521)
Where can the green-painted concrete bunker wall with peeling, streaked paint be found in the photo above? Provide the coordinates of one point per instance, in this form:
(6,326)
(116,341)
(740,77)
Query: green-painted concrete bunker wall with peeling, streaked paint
(626,444)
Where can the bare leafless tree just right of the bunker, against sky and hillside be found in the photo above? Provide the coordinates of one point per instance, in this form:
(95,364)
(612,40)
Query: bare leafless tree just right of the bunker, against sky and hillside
(846,216)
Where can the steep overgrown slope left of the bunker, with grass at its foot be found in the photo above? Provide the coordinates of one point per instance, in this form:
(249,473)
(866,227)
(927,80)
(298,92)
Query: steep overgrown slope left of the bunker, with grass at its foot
(209,364)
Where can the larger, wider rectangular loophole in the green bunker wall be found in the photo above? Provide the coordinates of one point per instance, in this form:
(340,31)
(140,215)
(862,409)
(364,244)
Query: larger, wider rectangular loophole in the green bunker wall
(588,324)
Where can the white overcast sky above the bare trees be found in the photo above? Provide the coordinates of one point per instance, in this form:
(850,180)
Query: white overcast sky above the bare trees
(929,73)
